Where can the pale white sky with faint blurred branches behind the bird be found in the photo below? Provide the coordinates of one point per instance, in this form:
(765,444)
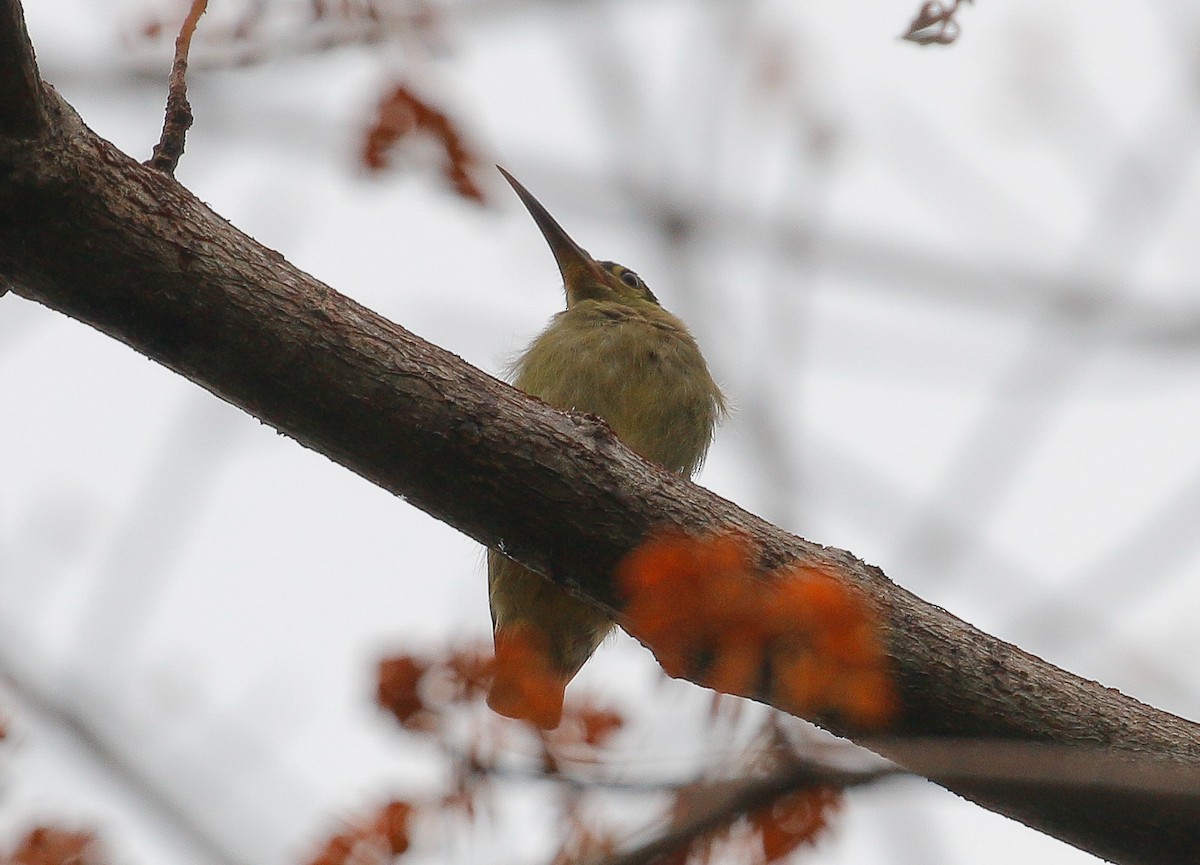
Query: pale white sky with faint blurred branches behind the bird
(951,291)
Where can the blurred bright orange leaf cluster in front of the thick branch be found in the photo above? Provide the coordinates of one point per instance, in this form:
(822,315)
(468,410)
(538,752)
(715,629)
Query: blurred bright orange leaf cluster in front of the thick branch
(701,600)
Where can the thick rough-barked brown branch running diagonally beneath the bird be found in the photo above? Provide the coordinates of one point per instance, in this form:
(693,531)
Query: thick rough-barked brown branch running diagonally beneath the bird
(89,232)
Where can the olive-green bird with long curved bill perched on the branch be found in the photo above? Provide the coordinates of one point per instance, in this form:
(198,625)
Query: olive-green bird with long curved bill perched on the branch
(616,353)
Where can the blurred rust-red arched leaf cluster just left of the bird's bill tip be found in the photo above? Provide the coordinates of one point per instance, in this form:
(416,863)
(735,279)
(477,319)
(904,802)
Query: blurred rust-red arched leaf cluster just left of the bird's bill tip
(403,113)
